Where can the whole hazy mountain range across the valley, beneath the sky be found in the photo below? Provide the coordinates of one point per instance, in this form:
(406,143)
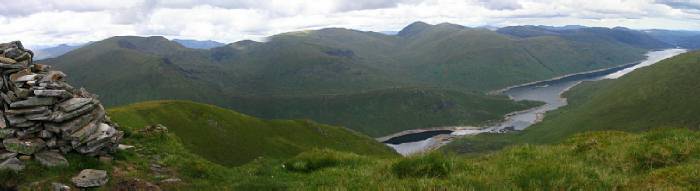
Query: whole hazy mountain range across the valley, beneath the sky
(348,64)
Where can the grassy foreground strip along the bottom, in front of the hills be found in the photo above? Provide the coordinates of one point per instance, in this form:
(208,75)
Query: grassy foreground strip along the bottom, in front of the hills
(663,158)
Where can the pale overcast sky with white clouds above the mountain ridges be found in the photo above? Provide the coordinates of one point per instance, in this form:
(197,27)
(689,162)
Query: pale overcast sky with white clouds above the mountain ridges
(42,23)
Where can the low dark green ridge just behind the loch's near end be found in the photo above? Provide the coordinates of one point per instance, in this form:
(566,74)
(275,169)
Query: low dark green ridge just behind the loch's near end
(382,112)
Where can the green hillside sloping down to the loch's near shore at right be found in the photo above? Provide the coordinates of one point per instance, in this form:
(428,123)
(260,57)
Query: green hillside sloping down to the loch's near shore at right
(661,95)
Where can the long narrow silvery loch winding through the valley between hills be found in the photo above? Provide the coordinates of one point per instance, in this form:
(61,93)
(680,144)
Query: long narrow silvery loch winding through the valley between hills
(548,92)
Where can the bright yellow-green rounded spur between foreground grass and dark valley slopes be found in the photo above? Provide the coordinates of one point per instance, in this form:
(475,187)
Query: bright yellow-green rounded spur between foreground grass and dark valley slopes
(230,138)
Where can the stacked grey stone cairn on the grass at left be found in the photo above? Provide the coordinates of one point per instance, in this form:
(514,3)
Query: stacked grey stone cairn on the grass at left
(44,117)
